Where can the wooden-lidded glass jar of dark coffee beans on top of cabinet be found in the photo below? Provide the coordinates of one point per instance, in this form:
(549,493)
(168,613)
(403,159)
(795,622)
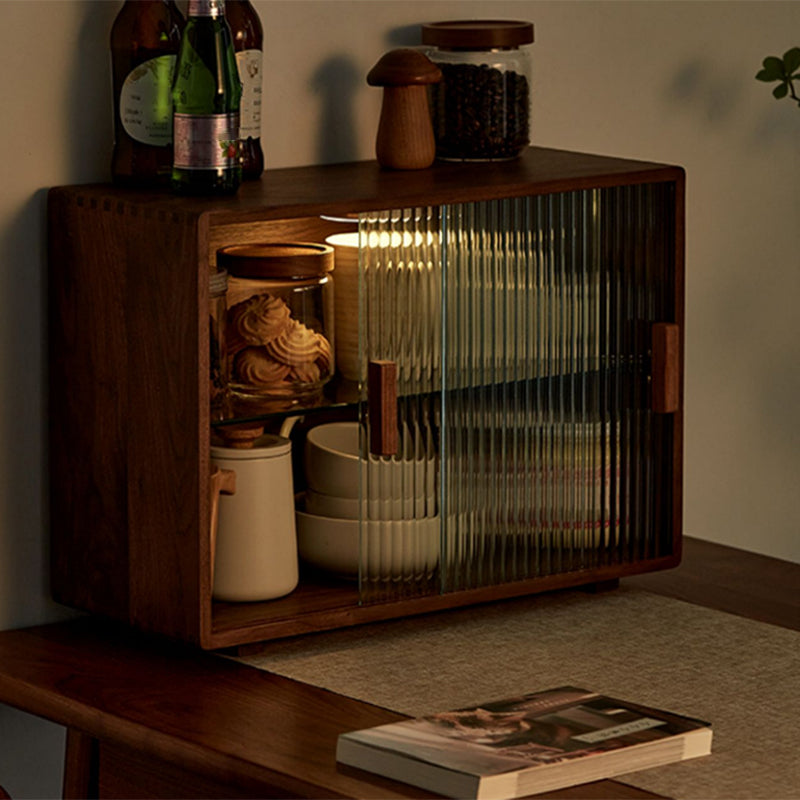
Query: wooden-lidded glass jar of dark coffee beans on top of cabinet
(481,108)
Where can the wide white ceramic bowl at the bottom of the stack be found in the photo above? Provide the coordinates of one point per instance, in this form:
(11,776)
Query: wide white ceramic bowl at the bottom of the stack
(397,549)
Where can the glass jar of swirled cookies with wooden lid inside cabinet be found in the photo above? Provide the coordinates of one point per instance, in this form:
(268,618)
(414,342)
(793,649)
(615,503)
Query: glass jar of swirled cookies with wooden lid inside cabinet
(279,323)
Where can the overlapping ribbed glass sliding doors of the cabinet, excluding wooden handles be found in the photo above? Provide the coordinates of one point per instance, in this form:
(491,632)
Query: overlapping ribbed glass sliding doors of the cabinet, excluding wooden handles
(520,330)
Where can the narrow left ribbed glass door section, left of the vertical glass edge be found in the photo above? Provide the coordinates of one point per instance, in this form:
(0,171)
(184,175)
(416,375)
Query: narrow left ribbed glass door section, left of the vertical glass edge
(400,321)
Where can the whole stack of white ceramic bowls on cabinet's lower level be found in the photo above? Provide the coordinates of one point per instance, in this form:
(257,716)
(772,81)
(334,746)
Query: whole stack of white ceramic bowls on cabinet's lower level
(366,516)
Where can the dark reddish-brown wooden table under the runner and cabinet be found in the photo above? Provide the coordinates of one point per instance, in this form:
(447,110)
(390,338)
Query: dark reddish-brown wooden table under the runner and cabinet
(147,718)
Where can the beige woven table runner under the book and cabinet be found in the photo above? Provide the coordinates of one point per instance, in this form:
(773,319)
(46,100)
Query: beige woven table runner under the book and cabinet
(740,675)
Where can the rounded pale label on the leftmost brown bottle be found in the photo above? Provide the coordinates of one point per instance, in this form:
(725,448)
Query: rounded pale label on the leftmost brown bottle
(145,101)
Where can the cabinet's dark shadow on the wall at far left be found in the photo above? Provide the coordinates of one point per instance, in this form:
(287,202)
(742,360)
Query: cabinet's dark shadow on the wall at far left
(24,513)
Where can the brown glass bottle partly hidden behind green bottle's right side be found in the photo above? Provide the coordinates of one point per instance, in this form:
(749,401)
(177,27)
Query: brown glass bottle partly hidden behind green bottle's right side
(248,41)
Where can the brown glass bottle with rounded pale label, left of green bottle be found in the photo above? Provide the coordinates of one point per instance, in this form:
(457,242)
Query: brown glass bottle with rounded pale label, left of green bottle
(145,38)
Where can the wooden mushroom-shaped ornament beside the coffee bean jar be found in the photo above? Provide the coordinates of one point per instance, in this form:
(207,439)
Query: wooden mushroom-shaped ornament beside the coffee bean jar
(405,131)
